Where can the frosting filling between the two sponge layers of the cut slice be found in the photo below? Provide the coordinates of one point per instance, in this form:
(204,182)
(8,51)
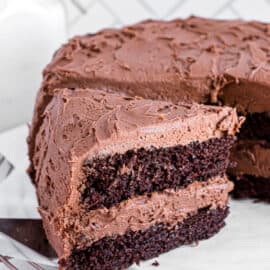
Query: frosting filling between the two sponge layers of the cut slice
(140,212)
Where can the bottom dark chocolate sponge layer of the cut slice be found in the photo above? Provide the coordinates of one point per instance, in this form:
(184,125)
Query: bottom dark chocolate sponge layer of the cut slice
(120,251)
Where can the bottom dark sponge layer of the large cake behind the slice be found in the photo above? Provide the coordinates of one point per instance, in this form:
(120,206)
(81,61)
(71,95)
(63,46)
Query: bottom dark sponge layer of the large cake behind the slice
(250,186)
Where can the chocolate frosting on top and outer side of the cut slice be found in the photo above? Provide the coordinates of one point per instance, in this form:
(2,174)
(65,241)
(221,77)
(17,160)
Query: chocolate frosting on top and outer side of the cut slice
(78,125)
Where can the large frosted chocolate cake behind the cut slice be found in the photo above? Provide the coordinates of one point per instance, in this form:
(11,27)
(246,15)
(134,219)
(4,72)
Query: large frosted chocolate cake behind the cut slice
(207,61)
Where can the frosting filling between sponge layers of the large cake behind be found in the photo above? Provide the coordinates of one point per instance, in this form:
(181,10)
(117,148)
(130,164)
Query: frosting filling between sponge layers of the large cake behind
(252,157)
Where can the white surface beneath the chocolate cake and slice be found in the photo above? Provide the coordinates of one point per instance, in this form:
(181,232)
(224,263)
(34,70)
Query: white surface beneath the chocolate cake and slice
(244,244)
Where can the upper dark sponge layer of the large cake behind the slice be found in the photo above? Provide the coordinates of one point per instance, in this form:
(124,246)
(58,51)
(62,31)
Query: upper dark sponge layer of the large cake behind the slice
(256,127)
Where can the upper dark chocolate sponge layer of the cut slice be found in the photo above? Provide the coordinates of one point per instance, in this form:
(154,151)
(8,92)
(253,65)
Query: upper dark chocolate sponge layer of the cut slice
(115,178)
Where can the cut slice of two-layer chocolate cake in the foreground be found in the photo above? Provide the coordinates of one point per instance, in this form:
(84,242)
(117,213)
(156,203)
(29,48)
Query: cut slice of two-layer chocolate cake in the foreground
(122,179)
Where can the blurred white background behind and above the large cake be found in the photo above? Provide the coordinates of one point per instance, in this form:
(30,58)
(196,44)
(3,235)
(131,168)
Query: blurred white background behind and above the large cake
(31,30)
